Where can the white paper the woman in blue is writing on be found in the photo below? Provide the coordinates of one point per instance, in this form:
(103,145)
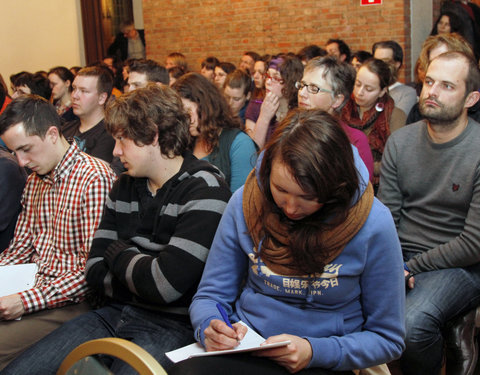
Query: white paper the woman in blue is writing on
(250,343)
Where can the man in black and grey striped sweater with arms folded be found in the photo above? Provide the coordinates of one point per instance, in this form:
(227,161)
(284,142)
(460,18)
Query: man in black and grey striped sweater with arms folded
(149,251)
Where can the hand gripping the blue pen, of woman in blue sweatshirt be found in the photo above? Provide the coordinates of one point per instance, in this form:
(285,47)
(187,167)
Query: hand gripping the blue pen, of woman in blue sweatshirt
(219,336)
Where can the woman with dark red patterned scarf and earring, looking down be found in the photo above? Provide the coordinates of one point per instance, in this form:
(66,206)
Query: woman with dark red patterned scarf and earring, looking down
(372,110)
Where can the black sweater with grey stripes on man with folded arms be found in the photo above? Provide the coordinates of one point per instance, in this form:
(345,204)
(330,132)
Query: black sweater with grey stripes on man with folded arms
(150,251)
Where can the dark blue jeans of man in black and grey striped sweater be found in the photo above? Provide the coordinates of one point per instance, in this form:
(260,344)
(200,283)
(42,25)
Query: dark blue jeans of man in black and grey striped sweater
(157,333)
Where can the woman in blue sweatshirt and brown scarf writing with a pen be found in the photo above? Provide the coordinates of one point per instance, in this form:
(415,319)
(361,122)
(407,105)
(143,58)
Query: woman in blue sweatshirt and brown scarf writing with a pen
(303,252)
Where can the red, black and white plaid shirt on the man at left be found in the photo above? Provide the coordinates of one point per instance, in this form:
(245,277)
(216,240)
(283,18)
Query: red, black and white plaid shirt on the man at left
(60,214)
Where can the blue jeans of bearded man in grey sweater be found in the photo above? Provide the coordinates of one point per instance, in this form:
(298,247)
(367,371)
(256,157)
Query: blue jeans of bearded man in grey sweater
(438,296)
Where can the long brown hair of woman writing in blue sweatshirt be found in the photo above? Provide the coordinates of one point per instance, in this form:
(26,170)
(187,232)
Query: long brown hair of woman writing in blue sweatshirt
(318,154)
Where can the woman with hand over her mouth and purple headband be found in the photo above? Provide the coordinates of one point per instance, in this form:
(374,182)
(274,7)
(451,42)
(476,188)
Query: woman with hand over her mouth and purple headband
(281,96)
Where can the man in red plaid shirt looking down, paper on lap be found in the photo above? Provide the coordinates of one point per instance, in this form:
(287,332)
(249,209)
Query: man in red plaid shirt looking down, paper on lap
(62,205)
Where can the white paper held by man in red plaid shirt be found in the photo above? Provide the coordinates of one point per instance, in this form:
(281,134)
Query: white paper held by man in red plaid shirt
(17,278)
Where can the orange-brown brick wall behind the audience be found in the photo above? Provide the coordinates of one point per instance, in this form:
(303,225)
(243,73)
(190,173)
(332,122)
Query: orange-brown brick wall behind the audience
(227,28)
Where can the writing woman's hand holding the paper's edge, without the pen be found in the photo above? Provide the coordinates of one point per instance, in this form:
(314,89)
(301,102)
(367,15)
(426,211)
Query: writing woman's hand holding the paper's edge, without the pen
(294,357)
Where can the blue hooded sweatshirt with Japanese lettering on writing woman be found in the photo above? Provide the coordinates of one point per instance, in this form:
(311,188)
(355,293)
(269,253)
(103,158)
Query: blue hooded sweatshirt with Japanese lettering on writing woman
(352,313)
